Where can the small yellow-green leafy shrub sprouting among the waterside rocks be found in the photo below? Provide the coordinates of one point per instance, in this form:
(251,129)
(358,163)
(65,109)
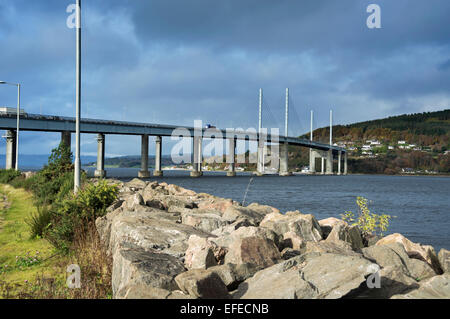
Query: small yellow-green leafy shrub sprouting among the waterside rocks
(368,222)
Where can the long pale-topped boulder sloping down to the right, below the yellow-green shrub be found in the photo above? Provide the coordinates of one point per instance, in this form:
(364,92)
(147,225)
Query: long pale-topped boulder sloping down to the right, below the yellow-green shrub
(422,252)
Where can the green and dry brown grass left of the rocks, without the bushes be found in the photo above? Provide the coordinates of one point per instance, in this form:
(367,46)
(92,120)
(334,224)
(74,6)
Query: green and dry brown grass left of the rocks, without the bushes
(21,276)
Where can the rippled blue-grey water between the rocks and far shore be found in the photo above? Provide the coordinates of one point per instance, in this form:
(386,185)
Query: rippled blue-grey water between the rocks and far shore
(421,204)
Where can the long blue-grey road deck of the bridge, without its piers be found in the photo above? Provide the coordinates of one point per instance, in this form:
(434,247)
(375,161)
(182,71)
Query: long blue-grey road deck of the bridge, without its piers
(48,123)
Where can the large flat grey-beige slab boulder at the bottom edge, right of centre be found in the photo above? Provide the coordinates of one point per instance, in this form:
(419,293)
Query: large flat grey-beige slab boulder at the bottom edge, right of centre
(312,275)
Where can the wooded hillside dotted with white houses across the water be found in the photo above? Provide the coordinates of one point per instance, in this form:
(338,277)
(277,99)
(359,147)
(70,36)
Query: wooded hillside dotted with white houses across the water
(426,138)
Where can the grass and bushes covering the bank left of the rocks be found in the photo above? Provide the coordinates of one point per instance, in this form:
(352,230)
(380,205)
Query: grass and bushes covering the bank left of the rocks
(45,228)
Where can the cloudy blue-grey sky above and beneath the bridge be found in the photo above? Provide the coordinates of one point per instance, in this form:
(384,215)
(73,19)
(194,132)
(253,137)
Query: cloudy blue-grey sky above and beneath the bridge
(176,61)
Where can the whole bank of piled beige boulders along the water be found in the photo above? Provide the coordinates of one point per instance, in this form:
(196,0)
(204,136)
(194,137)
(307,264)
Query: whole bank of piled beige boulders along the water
(168,242)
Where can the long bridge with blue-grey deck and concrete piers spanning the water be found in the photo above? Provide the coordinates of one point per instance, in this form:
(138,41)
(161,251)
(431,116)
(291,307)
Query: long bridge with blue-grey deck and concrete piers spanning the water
(66,126)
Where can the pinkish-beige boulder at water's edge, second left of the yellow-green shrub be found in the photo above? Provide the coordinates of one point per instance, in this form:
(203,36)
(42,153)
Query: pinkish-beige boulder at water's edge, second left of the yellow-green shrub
(305,226)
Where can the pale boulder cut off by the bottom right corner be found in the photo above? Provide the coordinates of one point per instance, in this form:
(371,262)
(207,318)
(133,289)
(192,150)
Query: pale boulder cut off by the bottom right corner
(437,287)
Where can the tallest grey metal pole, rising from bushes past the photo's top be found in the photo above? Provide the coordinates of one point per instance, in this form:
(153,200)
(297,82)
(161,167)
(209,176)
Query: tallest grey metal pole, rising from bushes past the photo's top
(77,177)
